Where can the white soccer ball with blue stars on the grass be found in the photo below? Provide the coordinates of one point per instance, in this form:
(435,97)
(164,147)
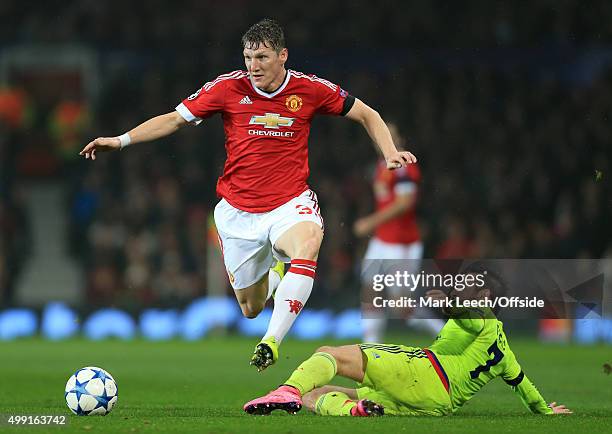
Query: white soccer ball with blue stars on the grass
(90,391)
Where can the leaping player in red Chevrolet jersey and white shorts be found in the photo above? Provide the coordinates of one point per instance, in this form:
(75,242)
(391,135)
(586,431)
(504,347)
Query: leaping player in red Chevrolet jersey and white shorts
(267,215)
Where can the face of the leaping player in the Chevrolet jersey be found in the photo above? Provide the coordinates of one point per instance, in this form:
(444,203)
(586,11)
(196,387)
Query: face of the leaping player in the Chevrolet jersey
(266,66)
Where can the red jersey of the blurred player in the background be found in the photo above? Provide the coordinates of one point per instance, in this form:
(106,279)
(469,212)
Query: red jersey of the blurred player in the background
(402,229)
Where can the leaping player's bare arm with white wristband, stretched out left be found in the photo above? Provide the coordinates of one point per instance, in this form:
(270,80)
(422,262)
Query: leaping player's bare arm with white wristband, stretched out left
(154,128)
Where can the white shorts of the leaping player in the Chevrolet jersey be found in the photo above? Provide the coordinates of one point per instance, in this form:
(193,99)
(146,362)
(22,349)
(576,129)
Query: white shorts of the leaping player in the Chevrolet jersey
(247,239)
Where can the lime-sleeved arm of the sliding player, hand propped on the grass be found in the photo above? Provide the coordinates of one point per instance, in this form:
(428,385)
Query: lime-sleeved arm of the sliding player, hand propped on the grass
(526,390)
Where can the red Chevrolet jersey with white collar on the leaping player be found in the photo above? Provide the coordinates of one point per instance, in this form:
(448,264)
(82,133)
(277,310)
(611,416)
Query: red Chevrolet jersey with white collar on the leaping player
(266,134)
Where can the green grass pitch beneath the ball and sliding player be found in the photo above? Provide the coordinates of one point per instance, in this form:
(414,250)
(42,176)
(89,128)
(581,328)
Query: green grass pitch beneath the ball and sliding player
(200,387)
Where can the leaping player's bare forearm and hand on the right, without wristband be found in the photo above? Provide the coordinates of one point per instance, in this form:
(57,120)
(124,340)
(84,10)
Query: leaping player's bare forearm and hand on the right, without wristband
(379,133)
